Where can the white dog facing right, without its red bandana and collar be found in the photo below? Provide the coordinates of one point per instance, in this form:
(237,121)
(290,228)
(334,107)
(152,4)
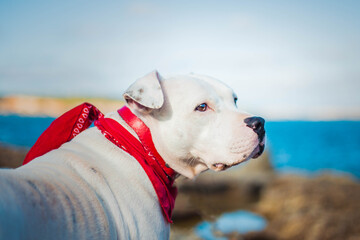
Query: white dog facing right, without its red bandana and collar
(90,188)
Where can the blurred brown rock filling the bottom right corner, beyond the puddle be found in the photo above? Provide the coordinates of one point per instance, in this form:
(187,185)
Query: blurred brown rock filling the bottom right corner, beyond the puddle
(325,207)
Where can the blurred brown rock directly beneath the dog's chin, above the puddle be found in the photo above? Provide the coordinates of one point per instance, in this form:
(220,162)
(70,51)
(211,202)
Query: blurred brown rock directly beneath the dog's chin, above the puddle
(214,193)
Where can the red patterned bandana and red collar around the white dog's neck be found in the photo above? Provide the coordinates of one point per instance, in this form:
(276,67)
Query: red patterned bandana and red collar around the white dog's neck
(67,126)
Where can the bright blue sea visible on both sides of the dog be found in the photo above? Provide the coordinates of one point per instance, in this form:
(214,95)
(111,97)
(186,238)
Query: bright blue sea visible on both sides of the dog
(293,146)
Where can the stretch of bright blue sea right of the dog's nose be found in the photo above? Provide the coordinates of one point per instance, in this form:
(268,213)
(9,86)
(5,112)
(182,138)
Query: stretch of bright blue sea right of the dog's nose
(299,146)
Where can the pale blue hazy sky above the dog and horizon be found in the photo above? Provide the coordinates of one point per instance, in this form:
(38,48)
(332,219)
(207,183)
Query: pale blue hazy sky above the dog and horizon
(284,59)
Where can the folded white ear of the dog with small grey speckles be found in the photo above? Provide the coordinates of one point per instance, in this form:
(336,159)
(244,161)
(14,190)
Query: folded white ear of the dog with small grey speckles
(145,93)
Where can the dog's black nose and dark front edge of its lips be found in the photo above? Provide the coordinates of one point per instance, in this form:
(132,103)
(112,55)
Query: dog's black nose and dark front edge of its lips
(257,124)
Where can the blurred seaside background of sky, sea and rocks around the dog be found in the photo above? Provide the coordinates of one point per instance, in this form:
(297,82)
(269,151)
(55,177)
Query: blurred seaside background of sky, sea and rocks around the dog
(296,63)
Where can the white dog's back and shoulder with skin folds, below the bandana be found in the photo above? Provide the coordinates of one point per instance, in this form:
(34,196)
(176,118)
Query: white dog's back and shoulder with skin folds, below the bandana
(86,189)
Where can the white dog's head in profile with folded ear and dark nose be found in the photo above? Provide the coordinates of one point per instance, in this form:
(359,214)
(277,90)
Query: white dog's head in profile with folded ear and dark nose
(195,122)
